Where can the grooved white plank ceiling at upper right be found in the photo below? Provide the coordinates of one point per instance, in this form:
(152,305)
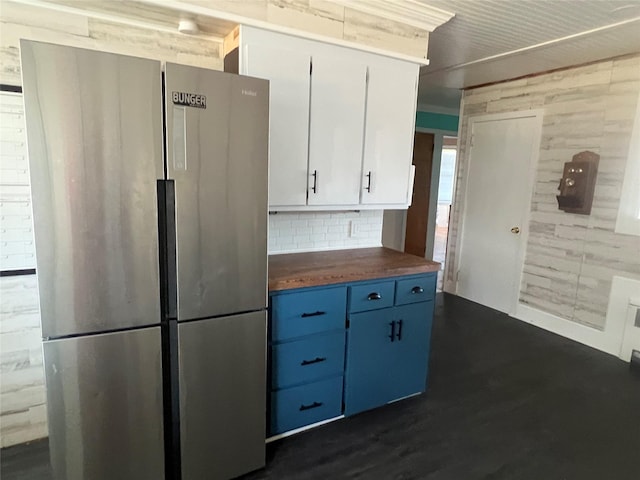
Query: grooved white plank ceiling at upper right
(493,40)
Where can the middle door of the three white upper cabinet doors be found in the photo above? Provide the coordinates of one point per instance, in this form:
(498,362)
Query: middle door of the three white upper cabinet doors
(338,90)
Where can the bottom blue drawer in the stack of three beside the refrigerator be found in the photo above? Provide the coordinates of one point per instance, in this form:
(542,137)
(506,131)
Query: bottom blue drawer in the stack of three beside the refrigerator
(299,406)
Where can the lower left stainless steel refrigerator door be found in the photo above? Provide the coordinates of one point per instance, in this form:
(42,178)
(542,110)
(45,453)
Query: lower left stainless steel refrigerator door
(104,402)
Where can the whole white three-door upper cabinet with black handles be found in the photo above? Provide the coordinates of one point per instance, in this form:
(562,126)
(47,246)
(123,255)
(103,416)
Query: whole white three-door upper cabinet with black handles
(341,121)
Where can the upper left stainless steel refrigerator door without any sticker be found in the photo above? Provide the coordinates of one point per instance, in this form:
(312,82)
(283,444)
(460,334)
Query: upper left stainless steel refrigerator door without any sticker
(95,149)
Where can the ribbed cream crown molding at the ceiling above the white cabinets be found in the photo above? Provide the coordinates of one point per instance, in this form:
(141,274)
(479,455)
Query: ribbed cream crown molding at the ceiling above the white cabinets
(409,12)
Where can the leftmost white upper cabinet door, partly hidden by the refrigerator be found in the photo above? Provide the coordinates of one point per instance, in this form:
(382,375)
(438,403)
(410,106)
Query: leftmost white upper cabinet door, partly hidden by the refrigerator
(288,72)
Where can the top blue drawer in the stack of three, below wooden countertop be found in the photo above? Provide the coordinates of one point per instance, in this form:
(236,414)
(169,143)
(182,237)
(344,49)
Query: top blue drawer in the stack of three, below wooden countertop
(307,312)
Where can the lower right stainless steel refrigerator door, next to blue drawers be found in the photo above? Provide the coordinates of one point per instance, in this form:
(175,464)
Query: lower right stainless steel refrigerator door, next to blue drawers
(222,395)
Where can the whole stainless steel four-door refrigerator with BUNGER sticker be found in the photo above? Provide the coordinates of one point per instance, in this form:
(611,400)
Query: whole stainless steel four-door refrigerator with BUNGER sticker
(150,207)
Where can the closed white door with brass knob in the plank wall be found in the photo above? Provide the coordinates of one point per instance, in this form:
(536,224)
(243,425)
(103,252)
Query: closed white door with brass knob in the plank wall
(496,206)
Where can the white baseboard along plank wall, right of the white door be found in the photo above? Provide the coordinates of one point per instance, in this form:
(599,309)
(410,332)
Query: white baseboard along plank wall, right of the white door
(607,341)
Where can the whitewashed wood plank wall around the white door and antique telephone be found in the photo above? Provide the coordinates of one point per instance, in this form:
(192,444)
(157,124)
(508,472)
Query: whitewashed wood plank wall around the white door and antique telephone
(570,259)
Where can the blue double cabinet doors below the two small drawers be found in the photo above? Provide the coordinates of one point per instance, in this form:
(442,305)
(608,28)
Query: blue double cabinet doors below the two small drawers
(387,355)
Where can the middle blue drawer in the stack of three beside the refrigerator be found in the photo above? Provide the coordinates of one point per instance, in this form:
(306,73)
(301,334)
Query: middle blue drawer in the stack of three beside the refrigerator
(307,360)
